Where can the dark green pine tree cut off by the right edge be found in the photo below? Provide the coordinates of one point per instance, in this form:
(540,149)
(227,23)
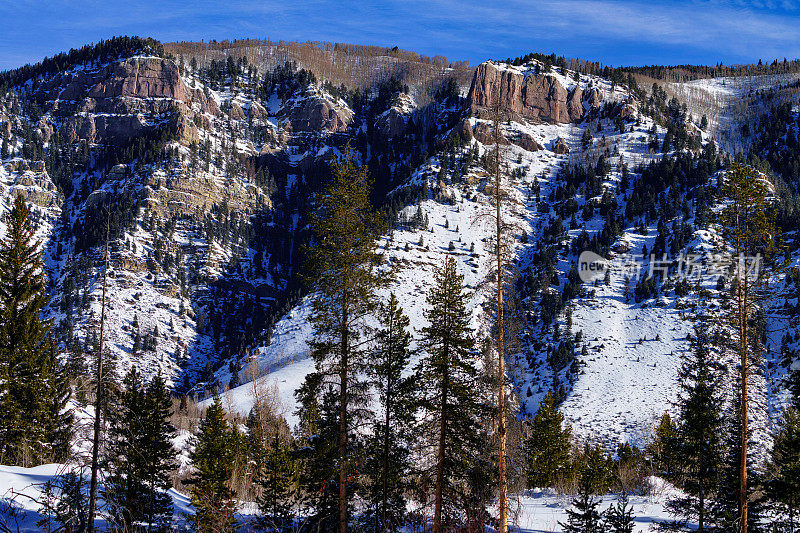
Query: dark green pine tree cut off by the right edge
(784,467)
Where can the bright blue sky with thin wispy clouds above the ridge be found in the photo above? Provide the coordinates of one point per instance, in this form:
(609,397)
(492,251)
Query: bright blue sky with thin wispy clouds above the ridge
(611,31)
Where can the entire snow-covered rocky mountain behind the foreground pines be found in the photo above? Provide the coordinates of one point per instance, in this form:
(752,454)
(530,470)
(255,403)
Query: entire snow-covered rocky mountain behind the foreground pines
(207,170)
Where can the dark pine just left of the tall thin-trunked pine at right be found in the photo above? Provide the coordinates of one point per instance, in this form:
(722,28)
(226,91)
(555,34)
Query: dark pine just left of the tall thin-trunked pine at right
(698,440)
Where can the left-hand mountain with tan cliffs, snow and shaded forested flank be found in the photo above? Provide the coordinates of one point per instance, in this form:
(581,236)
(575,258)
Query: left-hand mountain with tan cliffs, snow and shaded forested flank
(206,183)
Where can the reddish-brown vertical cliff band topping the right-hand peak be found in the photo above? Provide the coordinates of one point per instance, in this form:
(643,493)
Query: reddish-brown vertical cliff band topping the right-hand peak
(524,94)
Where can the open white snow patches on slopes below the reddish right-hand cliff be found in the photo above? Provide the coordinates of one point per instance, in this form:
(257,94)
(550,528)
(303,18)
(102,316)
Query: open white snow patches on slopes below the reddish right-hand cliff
(624,383)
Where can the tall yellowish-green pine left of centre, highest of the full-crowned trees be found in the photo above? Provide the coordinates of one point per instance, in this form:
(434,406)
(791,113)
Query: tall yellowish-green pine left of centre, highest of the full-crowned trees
(343,264)
